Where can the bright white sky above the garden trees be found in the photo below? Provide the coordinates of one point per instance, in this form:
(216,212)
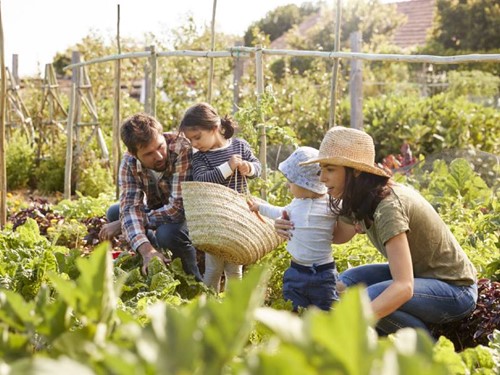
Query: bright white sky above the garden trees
(36,30)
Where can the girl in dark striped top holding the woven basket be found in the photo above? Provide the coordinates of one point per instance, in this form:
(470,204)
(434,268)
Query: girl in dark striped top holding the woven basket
(216,159)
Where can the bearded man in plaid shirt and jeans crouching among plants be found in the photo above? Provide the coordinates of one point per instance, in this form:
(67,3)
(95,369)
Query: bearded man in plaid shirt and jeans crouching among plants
(150,179)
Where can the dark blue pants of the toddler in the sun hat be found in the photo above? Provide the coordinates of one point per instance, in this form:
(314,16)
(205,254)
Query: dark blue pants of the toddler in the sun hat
(315,285)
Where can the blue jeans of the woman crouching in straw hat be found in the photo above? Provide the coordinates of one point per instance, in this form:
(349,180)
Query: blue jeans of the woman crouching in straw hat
(434,301)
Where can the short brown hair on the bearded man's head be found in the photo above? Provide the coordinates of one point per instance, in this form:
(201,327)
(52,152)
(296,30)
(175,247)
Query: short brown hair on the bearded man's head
(139,130)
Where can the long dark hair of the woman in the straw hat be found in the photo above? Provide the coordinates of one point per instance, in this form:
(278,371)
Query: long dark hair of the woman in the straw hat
(361,196)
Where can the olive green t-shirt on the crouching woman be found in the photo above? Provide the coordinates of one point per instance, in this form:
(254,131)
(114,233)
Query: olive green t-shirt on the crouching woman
(434,250)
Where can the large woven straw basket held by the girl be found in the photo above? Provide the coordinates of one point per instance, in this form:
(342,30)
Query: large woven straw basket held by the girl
(221,224)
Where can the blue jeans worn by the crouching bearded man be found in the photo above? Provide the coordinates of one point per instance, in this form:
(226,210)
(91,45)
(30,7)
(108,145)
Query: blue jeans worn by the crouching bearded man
(171,236)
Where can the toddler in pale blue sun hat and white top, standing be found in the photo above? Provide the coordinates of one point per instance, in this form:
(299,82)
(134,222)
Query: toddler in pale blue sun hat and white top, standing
(311,277)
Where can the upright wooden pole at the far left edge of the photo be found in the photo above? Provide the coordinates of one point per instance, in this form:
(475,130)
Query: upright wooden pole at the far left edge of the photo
(3,103)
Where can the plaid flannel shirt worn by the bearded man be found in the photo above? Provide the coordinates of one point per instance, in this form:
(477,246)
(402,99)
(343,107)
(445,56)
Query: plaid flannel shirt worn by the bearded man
(145,201)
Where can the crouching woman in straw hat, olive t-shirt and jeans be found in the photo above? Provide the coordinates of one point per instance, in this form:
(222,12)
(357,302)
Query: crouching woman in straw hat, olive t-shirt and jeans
(428,277)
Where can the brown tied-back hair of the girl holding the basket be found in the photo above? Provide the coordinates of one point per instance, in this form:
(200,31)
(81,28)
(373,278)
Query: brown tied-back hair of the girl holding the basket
(203,116)
